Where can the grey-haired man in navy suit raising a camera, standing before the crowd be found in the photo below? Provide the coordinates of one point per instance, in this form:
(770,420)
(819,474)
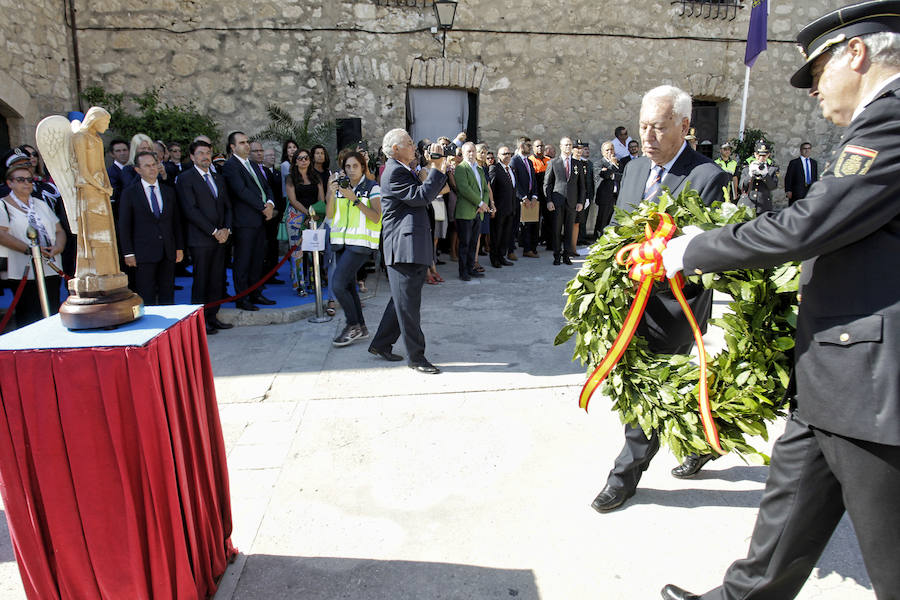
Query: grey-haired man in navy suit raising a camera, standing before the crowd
(408,247)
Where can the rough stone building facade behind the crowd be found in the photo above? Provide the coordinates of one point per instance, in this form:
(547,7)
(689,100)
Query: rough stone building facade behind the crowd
(541,68)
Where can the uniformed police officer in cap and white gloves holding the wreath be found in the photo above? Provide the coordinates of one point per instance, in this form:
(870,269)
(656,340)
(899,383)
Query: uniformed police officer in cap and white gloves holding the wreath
(840,450)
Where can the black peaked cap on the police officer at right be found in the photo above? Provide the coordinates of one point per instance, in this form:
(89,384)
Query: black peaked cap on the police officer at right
(840,25)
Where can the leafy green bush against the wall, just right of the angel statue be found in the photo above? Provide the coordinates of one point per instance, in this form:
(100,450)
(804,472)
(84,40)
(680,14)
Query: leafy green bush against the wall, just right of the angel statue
(170,123)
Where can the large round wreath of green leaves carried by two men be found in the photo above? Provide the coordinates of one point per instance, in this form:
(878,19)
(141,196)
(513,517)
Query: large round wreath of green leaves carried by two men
(747,380)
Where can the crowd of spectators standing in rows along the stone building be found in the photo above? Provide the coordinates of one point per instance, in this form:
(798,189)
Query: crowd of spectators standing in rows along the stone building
(176,206)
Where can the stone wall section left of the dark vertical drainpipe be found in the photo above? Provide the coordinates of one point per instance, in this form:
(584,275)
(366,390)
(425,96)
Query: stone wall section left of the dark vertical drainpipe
(36,65)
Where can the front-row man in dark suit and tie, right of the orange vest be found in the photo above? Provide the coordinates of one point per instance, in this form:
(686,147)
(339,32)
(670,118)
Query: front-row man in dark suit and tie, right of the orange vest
(564,188)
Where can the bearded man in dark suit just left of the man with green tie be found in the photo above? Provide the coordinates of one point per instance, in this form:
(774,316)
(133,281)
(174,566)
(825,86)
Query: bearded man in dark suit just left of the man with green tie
(203,197)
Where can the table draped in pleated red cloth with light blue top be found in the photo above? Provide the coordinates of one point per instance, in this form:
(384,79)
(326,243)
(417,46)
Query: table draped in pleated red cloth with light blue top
(112,461)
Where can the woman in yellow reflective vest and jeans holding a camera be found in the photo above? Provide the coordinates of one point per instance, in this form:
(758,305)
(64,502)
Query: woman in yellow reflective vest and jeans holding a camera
(354,207)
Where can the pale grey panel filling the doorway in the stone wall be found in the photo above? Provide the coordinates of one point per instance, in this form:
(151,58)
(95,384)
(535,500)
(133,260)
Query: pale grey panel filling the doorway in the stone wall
(434,112)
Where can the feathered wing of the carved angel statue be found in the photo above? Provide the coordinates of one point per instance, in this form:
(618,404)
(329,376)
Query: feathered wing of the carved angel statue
(54,140)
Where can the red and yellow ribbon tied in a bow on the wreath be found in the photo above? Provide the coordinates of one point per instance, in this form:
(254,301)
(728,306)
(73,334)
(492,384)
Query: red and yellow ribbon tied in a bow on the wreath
(644,263)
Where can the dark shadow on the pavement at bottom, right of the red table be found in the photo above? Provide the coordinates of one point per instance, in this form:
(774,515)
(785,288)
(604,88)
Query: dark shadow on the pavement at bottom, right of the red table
(326,578)
